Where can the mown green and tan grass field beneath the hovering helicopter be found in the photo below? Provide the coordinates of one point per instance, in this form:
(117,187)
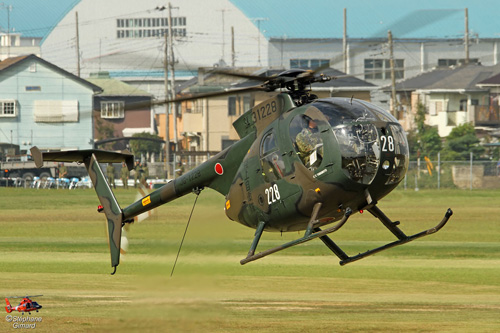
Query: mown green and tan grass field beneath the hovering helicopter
(53,242)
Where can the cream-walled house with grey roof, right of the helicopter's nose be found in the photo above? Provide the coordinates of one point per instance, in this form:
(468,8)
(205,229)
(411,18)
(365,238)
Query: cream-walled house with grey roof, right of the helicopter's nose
(452,96)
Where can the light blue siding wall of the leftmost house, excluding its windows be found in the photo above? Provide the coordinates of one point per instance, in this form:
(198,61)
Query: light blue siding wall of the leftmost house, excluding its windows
(54,85)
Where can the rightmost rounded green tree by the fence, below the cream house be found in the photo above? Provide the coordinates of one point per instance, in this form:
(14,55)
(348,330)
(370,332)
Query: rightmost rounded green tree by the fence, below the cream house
(461,142)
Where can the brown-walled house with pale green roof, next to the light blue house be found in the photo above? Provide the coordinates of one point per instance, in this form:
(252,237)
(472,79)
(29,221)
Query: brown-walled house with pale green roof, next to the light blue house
(121,110)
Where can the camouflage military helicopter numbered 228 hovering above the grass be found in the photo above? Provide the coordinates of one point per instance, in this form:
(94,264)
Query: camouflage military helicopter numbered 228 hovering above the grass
(301,163)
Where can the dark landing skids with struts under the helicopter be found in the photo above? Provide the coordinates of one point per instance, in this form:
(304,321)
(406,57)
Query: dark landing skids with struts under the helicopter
(313,232)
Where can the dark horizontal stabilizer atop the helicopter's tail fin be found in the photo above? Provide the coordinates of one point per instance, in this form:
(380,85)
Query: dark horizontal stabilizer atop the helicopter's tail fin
(102,156)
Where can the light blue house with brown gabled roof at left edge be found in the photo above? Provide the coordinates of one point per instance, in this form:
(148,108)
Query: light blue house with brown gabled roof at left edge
(43,105)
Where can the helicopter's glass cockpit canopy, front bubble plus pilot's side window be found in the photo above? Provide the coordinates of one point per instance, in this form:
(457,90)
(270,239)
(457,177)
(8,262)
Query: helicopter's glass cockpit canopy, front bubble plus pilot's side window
(368,137)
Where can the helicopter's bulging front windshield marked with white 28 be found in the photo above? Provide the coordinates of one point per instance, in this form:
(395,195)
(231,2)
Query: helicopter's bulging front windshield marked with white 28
(368,137)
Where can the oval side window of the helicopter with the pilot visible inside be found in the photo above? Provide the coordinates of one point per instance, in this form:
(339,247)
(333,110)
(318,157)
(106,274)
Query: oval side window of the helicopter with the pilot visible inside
(307,140)
